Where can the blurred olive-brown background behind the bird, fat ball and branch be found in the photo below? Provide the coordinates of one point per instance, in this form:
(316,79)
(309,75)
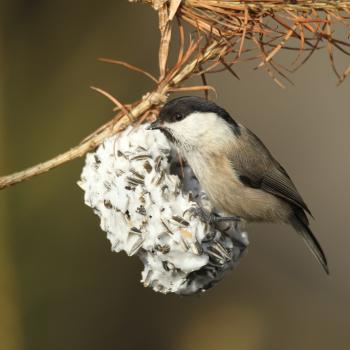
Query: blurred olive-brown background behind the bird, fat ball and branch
(62,288)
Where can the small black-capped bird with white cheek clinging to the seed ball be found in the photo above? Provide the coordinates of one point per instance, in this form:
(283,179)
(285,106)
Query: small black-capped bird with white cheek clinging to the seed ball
(236,170)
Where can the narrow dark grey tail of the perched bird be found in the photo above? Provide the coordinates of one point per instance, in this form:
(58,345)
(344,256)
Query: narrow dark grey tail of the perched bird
(300,223)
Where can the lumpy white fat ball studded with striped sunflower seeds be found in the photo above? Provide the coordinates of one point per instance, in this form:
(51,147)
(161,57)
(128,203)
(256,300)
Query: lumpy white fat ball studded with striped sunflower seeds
(128,184)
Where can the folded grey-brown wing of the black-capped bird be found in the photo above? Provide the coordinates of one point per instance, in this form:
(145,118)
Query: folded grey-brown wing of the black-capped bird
(257,168)
